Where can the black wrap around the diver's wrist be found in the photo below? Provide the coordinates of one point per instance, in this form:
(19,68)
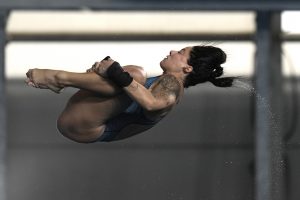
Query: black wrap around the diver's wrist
(116,73)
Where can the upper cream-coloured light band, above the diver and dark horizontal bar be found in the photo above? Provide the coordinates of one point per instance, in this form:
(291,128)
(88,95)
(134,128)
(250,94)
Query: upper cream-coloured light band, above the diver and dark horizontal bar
(129,22)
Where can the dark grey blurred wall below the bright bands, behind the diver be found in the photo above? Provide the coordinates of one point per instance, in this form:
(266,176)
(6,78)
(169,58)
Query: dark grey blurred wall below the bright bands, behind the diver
(202,151)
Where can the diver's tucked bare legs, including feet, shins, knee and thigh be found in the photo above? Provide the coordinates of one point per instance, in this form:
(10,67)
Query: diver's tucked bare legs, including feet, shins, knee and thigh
(83,120)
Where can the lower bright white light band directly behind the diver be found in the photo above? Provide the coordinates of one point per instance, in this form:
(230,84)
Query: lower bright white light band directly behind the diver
(78,56)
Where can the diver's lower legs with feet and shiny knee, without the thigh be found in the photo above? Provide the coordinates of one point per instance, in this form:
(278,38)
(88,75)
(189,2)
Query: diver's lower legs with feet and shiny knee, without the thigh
(58,79)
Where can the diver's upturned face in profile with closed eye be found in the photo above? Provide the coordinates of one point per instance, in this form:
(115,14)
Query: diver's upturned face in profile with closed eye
(176,60)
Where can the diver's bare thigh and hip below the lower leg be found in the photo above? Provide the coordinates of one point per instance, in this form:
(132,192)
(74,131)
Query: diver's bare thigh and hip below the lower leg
(86,113)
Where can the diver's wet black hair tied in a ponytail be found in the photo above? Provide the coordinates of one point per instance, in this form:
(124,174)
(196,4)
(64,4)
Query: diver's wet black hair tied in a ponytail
(206,62)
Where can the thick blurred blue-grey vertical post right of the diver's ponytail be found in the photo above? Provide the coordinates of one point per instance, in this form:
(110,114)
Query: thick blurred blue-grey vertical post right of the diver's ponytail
(269,153)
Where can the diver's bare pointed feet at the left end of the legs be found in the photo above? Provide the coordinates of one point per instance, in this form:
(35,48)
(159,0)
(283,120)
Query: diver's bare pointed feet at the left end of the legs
(43,79)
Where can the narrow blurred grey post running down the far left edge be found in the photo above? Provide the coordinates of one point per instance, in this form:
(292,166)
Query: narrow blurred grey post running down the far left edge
(3,18)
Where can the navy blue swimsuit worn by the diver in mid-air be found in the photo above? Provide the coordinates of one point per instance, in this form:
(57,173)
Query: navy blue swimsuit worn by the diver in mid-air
(132,115)
